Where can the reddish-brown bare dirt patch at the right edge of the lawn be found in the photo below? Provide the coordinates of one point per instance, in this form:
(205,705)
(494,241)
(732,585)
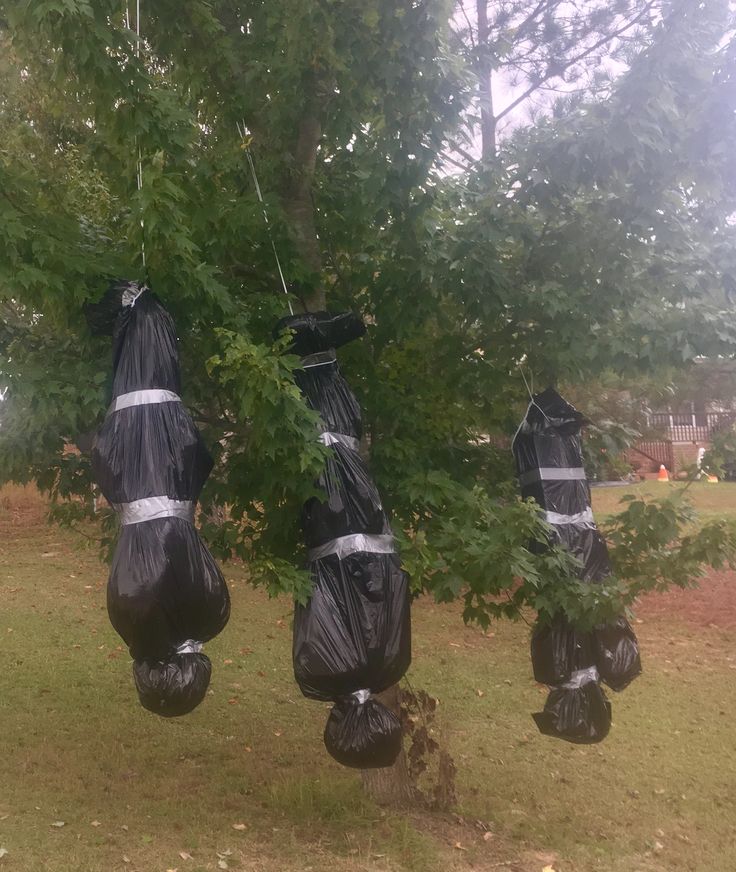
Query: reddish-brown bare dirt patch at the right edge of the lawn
(711,604)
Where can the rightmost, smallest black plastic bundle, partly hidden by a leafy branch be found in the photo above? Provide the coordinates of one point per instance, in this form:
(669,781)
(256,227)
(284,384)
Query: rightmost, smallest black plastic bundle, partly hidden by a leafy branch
(548,452)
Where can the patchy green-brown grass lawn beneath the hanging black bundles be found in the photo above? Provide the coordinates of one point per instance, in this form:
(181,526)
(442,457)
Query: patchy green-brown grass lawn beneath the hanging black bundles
(244,782)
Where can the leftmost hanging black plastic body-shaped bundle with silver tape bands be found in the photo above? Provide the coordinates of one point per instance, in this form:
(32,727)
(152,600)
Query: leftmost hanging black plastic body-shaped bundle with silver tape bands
(165,595)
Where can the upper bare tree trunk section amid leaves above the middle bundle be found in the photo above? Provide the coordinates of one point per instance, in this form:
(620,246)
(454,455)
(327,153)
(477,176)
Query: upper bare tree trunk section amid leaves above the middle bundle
(299,205)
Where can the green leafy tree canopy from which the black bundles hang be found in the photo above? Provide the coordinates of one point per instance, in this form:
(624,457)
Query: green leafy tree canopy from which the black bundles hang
(597,237)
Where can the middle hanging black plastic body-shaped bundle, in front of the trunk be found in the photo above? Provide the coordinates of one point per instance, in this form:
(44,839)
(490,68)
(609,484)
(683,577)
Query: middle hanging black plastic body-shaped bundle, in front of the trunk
(353,637)
